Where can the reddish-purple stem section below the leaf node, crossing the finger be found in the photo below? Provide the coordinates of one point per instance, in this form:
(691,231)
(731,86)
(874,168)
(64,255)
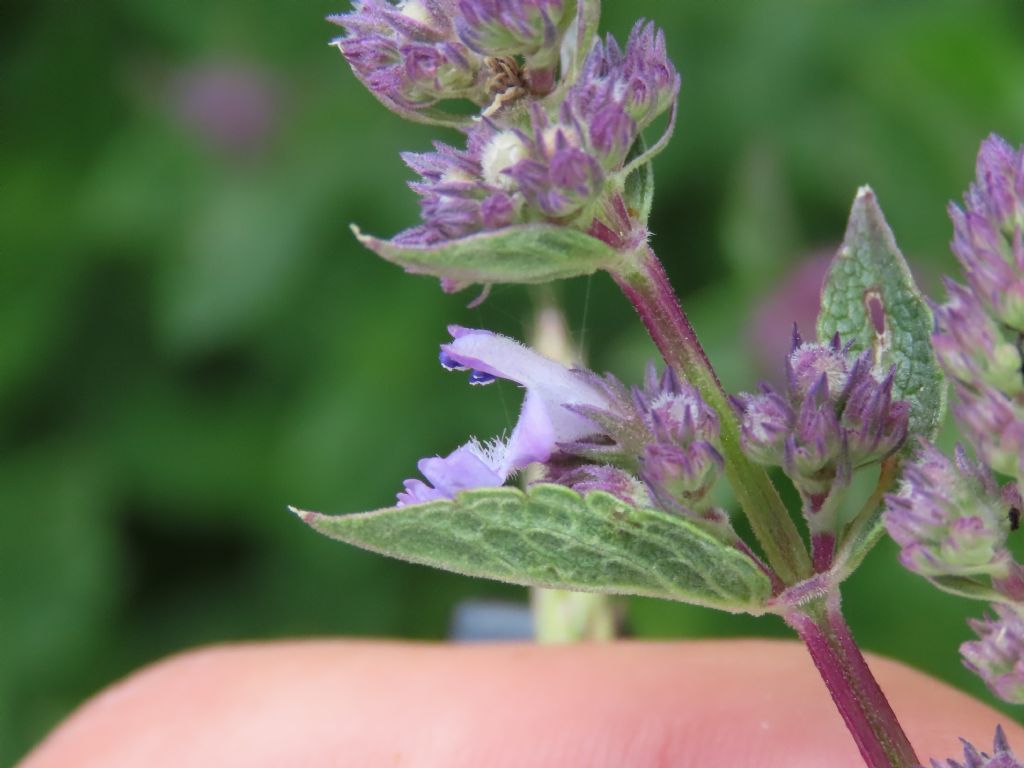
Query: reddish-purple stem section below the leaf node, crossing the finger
(858,696)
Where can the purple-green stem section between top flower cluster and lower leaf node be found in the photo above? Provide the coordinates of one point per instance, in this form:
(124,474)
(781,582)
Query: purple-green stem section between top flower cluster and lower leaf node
(646,284)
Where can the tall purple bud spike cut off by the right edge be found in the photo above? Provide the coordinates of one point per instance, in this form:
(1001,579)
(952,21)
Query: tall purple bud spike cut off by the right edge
(978,330)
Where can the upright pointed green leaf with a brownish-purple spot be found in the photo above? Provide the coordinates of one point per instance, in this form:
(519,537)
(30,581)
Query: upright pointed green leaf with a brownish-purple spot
(870,297)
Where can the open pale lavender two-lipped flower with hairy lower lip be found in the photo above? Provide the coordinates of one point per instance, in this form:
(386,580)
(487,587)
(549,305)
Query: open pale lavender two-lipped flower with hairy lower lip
(547,420)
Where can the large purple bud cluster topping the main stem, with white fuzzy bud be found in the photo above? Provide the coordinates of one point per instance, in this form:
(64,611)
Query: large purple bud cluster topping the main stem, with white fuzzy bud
(538,153)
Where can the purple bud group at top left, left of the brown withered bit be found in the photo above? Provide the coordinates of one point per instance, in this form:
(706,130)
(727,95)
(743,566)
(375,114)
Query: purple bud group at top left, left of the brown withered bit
(409,56)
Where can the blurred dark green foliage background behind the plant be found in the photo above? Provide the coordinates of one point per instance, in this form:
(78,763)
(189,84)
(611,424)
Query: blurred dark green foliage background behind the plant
(191,339)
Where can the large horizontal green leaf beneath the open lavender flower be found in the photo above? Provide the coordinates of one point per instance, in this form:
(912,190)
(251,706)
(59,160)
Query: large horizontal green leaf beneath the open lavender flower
(552,537)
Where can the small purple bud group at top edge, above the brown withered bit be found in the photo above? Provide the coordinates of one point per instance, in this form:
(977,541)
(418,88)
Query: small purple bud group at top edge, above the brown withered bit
(532,29)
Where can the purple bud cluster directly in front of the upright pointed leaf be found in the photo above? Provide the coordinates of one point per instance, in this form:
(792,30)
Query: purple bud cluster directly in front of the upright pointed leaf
(834,416)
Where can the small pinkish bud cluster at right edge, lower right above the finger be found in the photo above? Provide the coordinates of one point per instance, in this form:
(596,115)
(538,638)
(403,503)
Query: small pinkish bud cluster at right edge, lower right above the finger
(998,656)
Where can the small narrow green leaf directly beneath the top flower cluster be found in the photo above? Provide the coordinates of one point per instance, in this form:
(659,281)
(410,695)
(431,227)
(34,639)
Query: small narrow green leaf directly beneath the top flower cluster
(527,253)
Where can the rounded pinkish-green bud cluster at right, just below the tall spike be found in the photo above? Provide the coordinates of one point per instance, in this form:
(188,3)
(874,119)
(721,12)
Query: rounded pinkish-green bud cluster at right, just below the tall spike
(952,519)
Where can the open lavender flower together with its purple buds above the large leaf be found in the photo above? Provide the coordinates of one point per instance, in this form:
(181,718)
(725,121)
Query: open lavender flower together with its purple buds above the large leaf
(657,444)
